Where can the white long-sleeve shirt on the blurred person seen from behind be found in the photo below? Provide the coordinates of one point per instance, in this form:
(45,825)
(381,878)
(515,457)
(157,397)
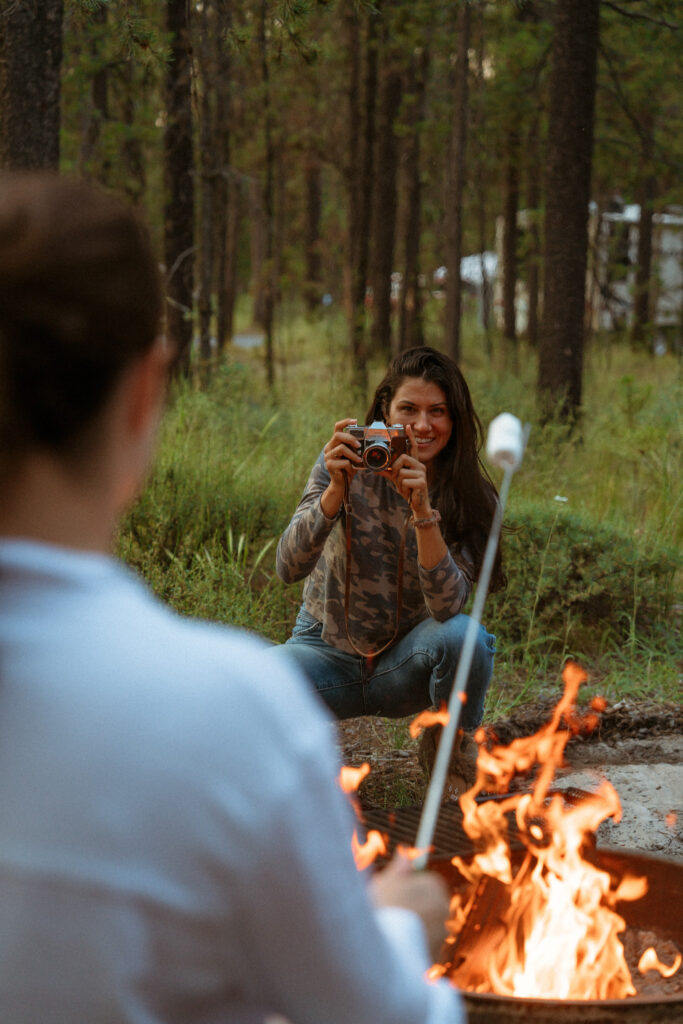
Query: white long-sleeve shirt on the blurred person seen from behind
(174,845)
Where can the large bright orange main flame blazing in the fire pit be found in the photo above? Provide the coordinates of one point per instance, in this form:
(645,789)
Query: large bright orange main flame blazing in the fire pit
(551,928)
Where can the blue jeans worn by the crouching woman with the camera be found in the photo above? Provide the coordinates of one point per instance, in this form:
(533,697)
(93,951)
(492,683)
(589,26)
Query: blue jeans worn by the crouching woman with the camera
(416,673)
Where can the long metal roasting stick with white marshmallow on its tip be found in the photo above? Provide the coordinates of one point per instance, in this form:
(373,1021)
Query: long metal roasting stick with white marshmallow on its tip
(505,448)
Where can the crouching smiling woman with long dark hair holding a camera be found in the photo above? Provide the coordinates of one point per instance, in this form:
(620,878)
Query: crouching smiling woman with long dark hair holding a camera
(391,541)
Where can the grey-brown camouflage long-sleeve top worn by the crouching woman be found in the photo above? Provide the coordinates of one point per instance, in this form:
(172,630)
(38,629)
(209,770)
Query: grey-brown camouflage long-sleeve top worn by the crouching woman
(315,547)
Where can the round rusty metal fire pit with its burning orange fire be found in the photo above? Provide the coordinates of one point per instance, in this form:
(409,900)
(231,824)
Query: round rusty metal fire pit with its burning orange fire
(543,925)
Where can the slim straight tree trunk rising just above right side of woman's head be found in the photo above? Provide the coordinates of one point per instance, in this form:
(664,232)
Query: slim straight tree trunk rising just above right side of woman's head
(455,188)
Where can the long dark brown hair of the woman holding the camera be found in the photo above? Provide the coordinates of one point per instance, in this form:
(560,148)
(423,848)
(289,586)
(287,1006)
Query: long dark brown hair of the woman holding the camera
(461,489)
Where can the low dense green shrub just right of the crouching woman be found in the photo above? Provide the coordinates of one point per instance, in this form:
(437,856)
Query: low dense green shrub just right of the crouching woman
(575,584)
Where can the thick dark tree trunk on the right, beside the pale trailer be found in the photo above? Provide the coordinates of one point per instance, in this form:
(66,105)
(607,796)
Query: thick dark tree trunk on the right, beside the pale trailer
(569,182)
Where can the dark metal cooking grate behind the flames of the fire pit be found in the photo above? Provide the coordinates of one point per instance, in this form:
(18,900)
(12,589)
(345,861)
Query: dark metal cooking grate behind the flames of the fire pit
(400,826)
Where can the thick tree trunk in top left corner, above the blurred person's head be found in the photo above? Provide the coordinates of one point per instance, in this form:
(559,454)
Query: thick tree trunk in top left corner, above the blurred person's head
(30,88)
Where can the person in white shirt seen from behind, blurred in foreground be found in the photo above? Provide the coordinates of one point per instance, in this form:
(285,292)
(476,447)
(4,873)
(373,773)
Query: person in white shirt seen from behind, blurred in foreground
(174,843)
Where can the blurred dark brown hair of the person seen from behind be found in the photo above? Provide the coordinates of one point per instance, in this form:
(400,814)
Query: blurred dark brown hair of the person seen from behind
(80,298)
